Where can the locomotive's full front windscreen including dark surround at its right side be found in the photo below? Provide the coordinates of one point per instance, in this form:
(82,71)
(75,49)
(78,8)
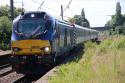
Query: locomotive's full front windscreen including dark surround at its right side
(29,27)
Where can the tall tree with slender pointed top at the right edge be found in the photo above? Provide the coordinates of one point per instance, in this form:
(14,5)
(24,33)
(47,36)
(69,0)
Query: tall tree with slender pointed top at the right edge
(116,24)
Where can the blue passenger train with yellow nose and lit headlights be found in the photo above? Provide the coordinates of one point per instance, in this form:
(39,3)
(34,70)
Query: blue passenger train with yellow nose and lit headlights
(40,38)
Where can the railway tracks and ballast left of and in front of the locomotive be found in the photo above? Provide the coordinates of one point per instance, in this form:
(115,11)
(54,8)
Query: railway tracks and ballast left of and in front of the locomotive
(7,75)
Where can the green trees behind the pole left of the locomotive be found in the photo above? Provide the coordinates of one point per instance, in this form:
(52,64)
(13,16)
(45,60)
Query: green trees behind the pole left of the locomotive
(5,26)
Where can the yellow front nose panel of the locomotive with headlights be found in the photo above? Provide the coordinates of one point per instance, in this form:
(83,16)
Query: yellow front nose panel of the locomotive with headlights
(31,47)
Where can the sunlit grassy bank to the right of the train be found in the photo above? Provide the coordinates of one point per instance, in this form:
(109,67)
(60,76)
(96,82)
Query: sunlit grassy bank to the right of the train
(104,63)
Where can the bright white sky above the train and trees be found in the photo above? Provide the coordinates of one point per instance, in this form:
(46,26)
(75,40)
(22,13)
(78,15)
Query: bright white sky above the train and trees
(98,12)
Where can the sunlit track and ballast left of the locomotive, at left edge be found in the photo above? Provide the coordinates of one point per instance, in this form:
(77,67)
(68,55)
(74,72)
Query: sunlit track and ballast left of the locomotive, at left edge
(7,75)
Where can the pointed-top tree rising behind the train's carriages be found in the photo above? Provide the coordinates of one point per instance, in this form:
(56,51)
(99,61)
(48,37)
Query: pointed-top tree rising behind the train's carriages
(80,19)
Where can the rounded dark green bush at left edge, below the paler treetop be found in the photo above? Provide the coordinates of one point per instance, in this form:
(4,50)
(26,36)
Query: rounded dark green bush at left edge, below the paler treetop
(5,32)
